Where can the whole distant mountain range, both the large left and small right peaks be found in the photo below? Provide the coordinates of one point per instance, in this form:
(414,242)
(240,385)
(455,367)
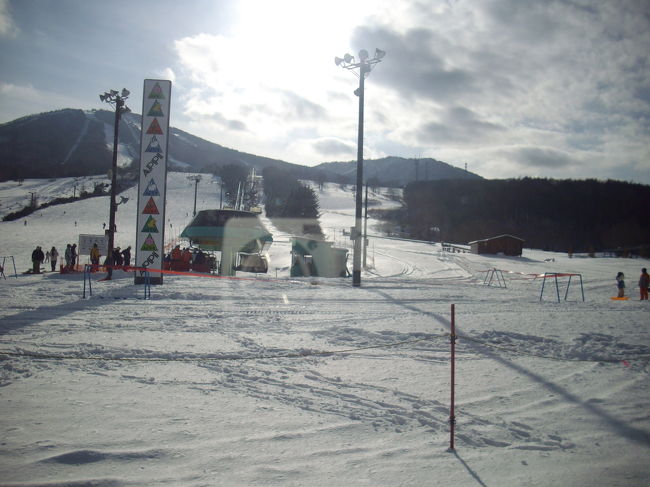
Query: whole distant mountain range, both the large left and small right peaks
(72,142)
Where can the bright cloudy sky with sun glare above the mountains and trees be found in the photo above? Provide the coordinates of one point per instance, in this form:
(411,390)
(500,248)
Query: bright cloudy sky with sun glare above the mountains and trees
(510,88)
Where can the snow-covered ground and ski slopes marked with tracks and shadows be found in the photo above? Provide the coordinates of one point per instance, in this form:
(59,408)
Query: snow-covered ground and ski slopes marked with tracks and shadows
(279,381)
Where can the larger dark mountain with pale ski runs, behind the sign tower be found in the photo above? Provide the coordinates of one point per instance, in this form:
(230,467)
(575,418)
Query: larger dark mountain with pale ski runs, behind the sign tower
(74,142)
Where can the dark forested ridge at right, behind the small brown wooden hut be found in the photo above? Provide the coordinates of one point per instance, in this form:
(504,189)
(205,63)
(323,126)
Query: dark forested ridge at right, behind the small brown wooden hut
(556,215)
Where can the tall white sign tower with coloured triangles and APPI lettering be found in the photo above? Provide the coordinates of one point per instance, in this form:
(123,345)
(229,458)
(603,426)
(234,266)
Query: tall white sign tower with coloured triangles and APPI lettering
(152,182)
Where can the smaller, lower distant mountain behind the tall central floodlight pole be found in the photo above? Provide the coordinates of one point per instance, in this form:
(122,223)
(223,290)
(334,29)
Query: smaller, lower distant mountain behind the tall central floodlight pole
(398,171)
